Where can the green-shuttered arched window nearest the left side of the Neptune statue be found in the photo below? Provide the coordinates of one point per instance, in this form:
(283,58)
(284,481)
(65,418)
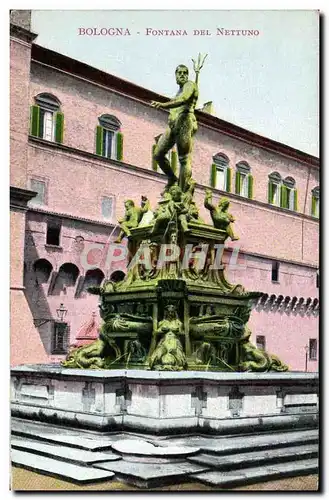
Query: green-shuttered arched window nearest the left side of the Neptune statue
(109,138)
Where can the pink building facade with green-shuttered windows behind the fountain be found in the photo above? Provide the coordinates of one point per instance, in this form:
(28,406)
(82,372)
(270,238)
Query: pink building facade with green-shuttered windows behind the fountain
(88,147)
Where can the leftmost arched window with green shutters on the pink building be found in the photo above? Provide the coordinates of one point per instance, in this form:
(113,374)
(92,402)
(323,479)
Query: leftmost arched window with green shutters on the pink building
(47,121)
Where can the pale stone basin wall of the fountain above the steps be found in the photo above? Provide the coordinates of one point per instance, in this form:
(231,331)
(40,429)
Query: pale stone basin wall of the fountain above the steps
(165,403)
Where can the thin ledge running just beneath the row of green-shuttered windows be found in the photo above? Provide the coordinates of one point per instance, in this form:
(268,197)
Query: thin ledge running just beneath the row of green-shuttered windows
(152,174)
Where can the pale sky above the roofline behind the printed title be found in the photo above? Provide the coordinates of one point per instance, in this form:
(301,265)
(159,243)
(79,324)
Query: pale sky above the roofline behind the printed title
(268,83)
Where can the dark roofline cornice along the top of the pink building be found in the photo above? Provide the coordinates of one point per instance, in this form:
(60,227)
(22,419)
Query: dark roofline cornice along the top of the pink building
(80,69)
